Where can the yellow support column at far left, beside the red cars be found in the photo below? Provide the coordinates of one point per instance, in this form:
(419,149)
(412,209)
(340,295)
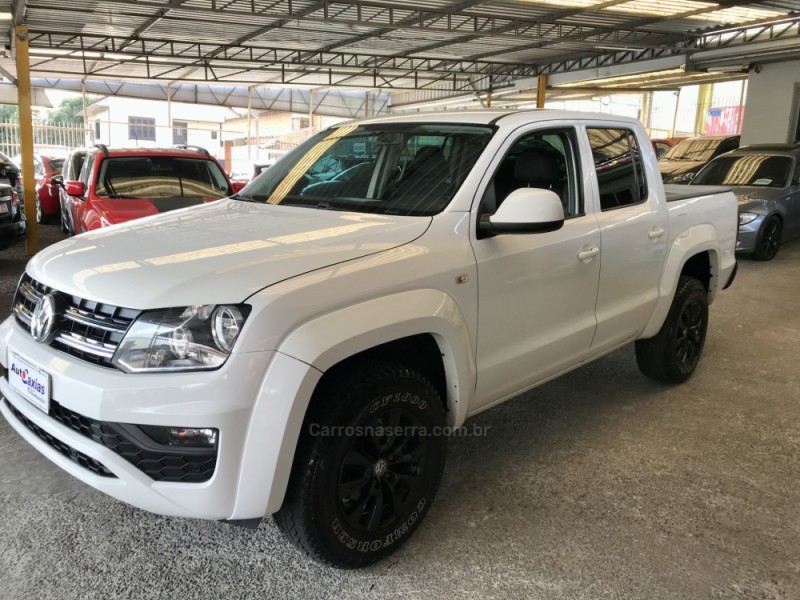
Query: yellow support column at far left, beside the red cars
(26,137)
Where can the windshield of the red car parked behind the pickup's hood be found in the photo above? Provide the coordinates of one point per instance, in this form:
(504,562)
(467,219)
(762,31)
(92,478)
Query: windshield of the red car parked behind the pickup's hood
(160,177)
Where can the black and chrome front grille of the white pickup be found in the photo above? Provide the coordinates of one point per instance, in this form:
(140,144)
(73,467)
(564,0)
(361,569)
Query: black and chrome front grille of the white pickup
(85,329)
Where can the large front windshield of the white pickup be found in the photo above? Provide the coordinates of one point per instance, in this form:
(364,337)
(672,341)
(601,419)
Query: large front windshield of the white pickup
(394,169)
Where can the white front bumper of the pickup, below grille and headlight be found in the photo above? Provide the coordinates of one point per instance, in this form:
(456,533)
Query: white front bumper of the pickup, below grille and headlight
(90,395)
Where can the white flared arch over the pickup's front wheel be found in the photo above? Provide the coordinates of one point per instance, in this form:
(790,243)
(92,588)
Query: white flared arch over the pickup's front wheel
(428,323)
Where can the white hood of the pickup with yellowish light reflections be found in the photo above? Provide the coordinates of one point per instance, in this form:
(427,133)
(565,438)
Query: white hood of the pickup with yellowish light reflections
(219,253)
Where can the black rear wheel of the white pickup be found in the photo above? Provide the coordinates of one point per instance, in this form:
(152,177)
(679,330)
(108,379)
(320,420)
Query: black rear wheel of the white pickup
(672,354)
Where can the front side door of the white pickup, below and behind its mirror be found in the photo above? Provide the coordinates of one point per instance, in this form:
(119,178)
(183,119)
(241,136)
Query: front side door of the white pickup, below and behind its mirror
(537,291)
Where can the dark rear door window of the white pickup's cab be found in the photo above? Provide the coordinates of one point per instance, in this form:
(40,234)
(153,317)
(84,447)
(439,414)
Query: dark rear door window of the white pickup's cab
(618,164)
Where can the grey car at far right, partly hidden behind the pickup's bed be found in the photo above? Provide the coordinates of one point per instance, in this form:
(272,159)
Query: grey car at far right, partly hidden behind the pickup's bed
(766,181)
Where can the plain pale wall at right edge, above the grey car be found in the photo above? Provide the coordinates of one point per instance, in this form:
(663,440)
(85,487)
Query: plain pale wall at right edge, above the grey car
(773,103)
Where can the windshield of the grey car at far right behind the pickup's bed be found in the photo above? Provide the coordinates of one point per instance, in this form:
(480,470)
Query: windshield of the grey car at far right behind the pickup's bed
(747,170)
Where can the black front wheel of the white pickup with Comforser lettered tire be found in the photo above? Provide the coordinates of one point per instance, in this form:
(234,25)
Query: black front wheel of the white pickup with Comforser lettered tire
(368,465)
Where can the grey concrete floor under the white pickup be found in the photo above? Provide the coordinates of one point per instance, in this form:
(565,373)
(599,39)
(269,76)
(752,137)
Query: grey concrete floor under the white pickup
(600,485)
